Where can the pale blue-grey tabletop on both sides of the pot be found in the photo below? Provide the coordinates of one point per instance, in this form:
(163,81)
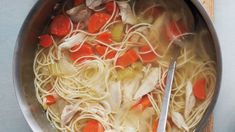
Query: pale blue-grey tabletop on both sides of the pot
(12,14)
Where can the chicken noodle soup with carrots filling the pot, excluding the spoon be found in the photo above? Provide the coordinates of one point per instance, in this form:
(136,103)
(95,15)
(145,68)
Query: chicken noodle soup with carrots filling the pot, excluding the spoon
(101,65)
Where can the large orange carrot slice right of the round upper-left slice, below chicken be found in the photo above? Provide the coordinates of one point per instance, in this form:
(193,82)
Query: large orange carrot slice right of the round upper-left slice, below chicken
(97,21)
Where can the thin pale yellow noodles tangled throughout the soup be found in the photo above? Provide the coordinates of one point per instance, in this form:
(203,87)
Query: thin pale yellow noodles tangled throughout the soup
(87,87)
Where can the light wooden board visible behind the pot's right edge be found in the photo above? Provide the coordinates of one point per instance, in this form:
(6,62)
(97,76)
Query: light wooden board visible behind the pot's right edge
(209,6)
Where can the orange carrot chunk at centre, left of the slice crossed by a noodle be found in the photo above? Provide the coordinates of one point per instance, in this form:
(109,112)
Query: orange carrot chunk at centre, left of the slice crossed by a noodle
(127,58)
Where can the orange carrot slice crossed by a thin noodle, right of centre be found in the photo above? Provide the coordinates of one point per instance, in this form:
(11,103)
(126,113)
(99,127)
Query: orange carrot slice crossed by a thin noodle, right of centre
(147,57)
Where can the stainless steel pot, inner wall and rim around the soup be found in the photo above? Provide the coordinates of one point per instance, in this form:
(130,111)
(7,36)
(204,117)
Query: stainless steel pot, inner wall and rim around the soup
(25,51)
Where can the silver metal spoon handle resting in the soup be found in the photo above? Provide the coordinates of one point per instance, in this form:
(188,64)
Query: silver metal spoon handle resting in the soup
(166,98)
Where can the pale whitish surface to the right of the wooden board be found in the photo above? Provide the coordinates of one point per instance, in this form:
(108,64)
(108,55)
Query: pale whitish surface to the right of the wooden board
(224,23)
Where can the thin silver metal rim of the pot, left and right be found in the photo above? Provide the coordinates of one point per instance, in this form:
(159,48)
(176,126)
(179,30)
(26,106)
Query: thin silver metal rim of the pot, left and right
(18,86)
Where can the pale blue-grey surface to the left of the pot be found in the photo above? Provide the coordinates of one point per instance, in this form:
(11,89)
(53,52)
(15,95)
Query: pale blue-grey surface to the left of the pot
(12,15)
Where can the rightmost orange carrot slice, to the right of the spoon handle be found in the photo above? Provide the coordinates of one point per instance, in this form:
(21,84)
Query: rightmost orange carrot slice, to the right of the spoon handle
(199,89)
